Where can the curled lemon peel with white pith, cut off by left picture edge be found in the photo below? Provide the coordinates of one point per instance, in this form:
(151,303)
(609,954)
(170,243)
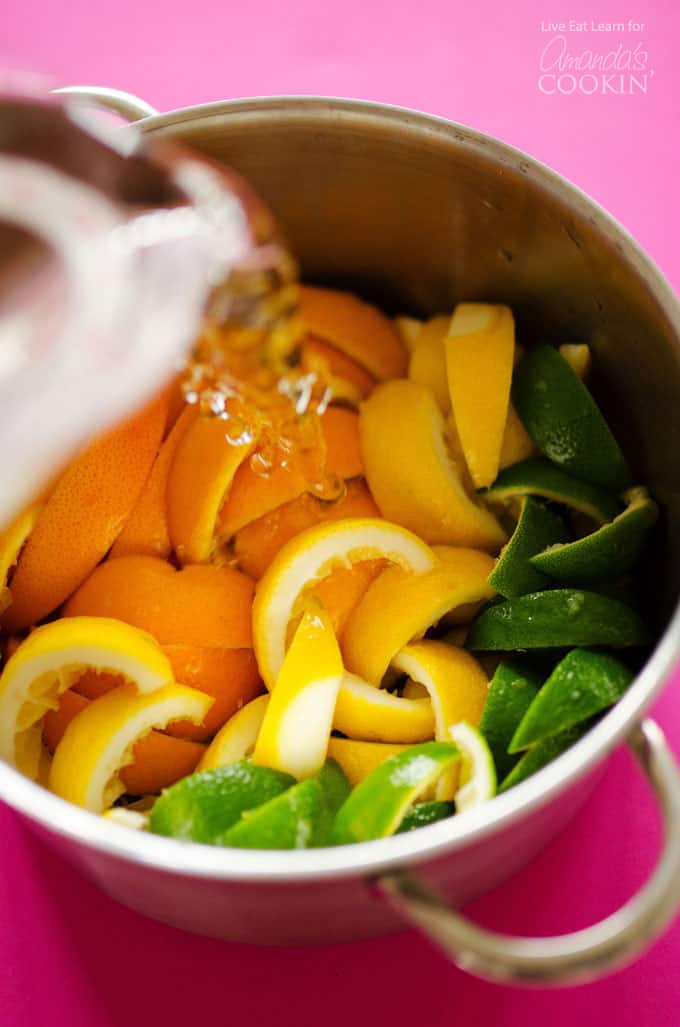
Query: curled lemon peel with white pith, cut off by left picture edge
(51,661)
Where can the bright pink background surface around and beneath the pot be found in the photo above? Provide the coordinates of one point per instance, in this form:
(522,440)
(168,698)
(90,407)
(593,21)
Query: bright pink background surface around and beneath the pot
(69,956)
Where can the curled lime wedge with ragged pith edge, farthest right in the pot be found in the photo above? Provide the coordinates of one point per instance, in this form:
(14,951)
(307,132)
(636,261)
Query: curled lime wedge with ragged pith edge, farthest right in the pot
(606,554)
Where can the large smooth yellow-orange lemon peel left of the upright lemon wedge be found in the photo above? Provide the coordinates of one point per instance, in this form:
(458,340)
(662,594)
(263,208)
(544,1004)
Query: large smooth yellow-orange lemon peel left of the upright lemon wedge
(411,474)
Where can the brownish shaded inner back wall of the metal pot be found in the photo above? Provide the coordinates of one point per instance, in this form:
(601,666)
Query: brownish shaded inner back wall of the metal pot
(418,214)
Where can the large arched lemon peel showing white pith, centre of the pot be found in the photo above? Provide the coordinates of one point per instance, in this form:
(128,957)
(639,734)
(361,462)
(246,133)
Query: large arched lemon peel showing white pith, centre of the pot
(310,557)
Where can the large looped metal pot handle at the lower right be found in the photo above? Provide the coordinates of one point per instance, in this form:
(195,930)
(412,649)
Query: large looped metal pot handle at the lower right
(584,955)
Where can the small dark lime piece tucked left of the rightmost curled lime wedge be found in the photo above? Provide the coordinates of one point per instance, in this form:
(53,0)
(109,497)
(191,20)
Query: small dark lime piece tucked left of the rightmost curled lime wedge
(538,528)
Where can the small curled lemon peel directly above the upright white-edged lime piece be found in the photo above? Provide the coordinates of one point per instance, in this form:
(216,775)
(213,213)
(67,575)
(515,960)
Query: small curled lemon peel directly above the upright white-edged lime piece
(456,682)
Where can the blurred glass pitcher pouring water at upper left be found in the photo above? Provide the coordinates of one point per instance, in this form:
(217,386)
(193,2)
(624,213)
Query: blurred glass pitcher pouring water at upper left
(111,249)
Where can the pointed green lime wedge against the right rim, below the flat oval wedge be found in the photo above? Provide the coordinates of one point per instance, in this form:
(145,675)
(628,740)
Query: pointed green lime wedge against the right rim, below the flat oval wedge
(583,684)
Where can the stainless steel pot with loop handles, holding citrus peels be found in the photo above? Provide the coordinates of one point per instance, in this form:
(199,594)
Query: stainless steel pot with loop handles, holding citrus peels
(421,213)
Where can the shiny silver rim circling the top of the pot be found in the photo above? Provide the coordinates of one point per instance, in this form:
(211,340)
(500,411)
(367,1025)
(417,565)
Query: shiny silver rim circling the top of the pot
(166,855)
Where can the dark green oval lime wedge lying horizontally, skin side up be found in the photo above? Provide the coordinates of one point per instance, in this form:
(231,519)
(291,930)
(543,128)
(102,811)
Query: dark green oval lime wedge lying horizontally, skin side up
(560,618)
